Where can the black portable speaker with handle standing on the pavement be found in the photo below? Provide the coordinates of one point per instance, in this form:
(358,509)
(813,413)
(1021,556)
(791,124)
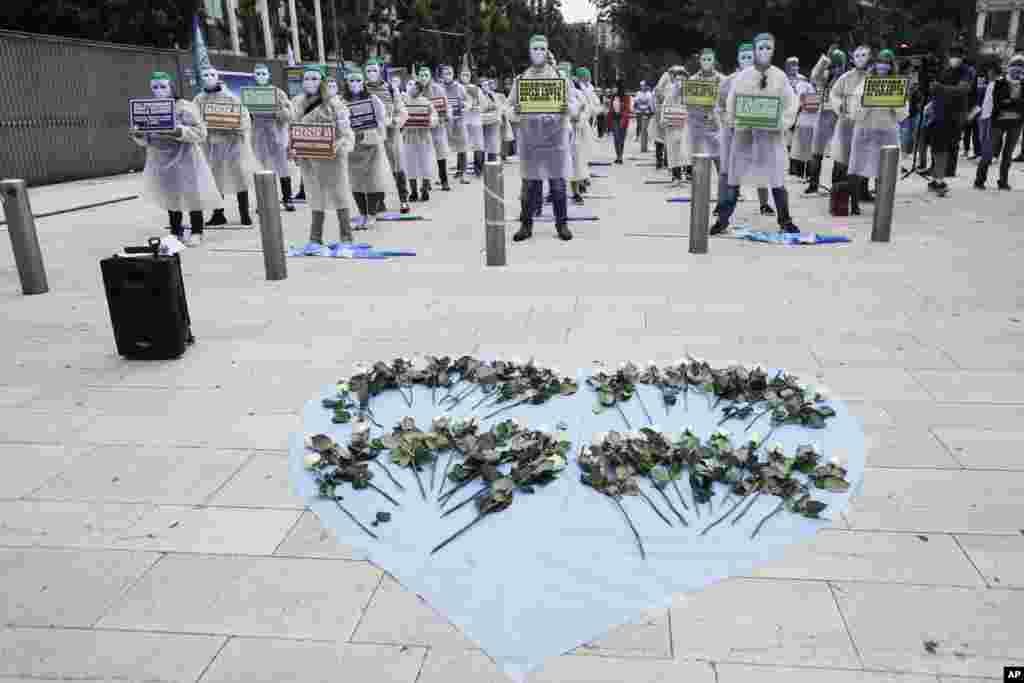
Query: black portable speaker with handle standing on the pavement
(147,298)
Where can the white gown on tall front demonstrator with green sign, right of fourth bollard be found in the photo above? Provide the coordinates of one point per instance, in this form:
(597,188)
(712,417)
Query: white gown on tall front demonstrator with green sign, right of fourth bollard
(759,156)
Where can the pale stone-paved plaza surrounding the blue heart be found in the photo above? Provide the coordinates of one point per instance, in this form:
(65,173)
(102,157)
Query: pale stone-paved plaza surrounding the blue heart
(148,531)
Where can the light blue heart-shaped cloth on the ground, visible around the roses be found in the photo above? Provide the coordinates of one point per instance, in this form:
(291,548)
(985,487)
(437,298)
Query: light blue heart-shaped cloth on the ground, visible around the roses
(561,568)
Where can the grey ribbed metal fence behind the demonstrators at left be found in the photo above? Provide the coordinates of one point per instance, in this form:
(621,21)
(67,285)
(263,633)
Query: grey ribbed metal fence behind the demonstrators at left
(64,115)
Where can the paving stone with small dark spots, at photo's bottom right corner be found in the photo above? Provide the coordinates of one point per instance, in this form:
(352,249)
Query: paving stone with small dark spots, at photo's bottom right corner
(970,631)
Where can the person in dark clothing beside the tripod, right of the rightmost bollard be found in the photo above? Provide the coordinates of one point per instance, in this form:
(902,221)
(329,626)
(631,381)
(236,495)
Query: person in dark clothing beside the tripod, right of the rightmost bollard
(951,92)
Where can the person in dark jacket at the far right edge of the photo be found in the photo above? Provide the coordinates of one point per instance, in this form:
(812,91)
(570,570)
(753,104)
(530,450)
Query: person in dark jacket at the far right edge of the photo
(1003,116)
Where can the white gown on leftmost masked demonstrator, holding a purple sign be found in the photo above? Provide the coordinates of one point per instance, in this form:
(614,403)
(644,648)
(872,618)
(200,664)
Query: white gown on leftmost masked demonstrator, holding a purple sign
(178,177)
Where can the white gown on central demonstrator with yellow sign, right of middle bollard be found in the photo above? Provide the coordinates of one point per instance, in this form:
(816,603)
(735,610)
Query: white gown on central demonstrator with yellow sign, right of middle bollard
(545,148)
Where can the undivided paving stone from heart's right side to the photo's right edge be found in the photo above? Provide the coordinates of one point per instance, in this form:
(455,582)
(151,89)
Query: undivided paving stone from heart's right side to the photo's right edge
(927,501)
